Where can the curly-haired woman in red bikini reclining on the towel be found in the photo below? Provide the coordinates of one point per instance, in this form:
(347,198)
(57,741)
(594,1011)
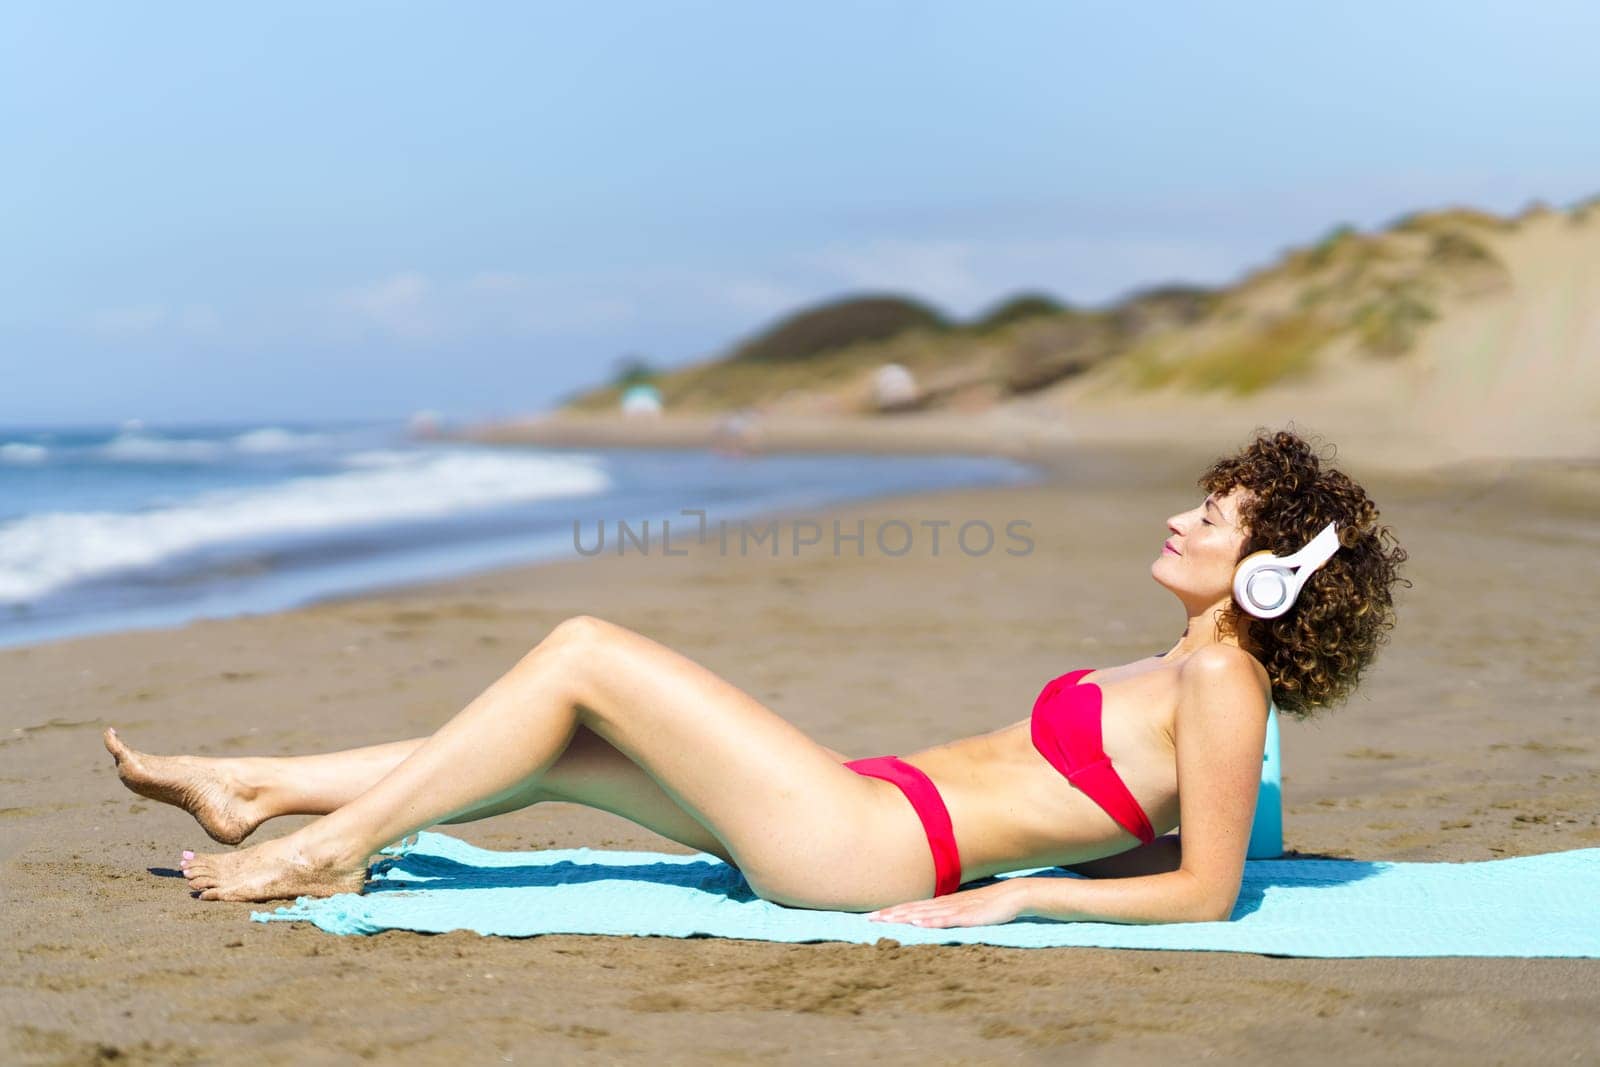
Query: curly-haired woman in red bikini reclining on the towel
(606,717)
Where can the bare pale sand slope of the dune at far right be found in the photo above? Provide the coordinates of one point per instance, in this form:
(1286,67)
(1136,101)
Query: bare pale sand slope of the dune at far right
(1503,372)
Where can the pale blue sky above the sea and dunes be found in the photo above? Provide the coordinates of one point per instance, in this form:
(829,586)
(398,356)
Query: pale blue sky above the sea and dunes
(362,210)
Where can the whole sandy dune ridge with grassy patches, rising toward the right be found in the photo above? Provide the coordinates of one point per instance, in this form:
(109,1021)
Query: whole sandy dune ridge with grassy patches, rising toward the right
(1449,337)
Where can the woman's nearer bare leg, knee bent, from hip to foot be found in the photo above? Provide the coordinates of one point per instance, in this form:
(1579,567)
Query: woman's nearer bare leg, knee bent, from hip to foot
(783,805)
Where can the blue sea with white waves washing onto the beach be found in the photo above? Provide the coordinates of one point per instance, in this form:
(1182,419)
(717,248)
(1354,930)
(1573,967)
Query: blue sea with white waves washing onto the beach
(132,526)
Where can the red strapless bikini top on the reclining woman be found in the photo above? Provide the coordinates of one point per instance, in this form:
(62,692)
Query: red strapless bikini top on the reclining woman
(1066,730)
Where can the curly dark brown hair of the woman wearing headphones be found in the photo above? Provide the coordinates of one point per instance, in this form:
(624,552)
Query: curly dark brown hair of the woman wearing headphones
(1319,649)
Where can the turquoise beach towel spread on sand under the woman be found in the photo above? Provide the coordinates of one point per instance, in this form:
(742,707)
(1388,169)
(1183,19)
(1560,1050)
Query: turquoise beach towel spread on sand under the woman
(1530,906)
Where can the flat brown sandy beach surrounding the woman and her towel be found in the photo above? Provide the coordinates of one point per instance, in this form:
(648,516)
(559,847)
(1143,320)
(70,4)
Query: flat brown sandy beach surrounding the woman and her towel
(1473,738)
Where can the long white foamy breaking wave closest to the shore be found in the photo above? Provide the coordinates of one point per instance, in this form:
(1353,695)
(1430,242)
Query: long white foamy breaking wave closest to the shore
(49,551)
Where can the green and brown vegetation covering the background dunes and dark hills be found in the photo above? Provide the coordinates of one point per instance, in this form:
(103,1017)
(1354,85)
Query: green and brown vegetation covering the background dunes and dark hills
(1375,294)
